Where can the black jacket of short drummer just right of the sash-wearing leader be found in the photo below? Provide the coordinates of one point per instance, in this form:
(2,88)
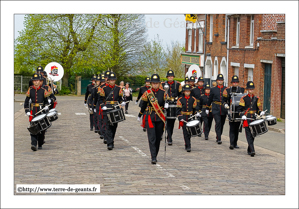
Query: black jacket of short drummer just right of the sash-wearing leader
(186,106)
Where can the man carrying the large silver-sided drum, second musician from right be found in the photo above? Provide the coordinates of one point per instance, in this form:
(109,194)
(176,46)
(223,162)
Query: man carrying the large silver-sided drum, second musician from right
(233,125)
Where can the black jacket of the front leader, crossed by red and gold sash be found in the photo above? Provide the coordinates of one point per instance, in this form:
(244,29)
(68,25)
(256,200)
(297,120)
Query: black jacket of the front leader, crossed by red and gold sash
(147,108)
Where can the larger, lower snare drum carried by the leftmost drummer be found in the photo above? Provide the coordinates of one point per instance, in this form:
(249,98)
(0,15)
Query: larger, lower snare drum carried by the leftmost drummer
(38,124)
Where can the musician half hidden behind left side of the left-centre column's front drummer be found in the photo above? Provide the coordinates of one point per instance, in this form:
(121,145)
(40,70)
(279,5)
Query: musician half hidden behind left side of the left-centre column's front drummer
(102,124)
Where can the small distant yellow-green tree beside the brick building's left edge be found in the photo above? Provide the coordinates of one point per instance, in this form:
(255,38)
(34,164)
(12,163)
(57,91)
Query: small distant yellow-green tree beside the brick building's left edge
(173,59)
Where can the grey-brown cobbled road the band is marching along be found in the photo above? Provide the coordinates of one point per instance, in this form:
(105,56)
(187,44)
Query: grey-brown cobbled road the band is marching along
(74,155)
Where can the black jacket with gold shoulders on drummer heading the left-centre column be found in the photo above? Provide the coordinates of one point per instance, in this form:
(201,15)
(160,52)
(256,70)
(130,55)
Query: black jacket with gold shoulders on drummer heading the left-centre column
(110,96)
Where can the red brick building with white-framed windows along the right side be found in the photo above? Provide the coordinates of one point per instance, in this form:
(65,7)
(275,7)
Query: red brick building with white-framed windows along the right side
(250,46)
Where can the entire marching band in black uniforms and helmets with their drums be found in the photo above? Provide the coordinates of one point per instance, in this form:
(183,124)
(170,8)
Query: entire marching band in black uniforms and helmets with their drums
(195,105)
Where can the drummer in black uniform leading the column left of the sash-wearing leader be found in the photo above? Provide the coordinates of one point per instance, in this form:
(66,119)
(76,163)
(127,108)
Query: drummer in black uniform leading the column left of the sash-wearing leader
(110,95)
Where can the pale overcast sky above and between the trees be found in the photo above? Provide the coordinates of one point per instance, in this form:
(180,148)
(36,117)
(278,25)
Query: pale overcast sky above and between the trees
(168,27)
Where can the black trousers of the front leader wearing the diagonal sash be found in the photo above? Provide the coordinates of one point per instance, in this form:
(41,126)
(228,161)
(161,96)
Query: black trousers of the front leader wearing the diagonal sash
(154,136)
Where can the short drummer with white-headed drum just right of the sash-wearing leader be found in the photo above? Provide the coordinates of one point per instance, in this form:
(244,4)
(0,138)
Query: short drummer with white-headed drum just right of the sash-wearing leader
(186,106)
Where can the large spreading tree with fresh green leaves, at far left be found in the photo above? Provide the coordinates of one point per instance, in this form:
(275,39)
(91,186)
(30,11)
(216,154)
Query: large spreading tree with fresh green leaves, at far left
(58,37)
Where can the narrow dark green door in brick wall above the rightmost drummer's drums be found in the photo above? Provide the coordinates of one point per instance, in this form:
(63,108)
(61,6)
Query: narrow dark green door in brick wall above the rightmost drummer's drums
(267,88)
